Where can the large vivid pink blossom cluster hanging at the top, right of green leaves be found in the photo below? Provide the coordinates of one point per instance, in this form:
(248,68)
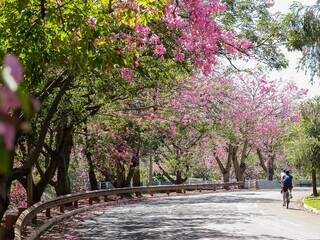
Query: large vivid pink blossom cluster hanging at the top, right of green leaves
(200,32)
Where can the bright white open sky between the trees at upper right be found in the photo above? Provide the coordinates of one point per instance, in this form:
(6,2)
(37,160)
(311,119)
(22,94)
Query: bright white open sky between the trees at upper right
(291,73)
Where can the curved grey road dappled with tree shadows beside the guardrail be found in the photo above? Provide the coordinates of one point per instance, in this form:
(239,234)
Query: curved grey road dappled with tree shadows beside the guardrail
(227,216)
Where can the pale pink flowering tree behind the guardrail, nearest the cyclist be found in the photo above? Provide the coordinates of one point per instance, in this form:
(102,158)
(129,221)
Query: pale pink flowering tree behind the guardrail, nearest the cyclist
(259,112)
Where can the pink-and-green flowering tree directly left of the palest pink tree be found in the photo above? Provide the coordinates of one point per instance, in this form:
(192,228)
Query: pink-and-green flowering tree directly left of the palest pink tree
(182,122)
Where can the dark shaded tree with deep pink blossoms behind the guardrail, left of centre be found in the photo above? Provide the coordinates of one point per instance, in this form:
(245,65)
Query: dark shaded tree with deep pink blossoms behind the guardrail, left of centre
(115,152)
